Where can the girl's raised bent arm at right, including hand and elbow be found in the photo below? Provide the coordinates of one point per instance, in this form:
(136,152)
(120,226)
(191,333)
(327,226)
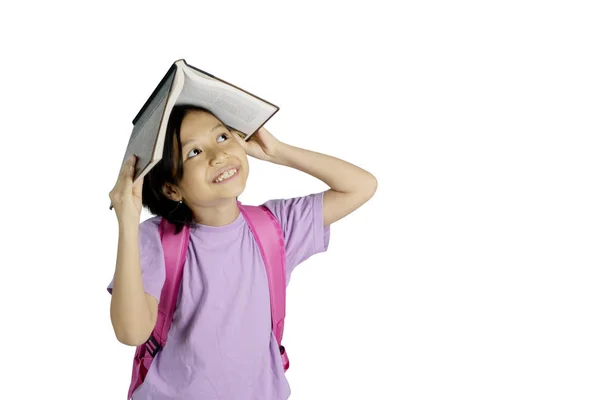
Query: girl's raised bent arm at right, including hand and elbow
(350,186)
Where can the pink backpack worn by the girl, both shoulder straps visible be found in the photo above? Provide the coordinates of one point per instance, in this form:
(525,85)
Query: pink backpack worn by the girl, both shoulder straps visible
(267,233)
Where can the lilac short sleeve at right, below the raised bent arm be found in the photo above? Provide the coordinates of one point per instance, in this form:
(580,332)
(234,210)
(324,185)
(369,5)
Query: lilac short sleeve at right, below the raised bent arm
(304,232)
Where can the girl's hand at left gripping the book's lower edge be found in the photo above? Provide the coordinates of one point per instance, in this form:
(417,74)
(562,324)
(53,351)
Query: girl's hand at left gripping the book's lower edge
(125,197)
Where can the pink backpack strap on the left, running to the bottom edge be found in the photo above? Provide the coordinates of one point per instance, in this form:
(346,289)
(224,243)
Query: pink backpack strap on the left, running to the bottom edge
(175,251)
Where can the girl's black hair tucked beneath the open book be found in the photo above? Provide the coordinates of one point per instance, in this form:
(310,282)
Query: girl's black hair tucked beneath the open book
(169,170)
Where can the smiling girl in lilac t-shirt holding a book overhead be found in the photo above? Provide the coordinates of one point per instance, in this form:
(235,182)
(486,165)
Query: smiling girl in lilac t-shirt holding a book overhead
(220,344)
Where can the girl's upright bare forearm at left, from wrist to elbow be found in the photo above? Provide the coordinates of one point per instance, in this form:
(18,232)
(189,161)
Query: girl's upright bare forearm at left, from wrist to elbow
(129,309)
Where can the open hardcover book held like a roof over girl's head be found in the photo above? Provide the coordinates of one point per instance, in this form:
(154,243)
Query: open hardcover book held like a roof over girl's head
(185,84)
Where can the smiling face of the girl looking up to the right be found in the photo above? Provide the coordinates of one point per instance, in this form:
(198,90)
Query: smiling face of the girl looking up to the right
(215,166)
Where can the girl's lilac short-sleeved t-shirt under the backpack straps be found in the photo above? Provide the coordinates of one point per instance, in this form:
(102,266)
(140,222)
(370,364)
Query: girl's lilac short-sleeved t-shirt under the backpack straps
(220,345)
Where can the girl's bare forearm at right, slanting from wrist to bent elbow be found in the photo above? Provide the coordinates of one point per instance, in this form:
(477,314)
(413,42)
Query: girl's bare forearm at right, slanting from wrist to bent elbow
(339,175)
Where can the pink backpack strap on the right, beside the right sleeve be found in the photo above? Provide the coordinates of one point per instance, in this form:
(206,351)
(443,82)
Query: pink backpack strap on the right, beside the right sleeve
(269,236)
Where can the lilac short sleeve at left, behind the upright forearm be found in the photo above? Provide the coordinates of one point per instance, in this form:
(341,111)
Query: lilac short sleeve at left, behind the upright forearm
(152,259)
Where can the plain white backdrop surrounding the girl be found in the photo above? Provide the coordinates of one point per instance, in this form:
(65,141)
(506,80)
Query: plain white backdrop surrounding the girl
(472,274)
